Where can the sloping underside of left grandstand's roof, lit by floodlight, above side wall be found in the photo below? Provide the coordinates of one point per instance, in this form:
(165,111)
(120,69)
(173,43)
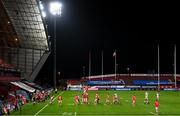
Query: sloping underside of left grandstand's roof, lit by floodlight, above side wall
(22,25)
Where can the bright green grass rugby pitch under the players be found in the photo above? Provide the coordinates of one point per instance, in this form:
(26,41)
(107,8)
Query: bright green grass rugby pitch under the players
(169,104)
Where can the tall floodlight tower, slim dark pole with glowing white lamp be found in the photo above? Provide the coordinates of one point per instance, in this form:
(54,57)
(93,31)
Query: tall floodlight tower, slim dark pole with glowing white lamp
(55,10)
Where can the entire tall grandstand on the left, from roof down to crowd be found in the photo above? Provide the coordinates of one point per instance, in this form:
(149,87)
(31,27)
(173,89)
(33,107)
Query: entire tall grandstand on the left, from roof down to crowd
(24,48)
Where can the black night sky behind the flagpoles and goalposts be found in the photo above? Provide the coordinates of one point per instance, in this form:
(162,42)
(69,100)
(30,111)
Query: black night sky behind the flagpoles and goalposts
(96,25)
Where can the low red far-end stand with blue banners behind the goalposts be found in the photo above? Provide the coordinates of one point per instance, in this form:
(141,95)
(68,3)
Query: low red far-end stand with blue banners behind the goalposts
(129,82)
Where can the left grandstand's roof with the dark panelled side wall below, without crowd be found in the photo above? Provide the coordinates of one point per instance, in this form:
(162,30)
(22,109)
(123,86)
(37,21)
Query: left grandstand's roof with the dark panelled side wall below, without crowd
(24,43)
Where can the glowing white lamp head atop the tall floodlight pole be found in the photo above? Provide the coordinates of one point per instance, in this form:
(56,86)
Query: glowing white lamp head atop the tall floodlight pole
(55,8)
